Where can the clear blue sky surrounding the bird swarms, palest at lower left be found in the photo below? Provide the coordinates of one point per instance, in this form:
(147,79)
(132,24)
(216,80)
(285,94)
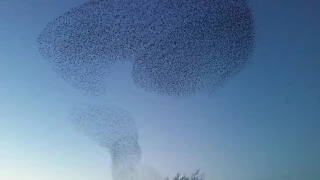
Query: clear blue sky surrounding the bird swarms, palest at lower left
(264,124)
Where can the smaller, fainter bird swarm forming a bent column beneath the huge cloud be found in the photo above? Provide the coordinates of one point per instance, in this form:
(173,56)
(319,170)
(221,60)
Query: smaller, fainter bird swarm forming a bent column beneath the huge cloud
(114,129)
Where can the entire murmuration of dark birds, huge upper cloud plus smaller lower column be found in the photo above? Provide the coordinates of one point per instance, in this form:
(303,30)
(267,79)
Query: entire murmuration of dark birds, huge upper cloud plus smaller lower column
(177,48)
